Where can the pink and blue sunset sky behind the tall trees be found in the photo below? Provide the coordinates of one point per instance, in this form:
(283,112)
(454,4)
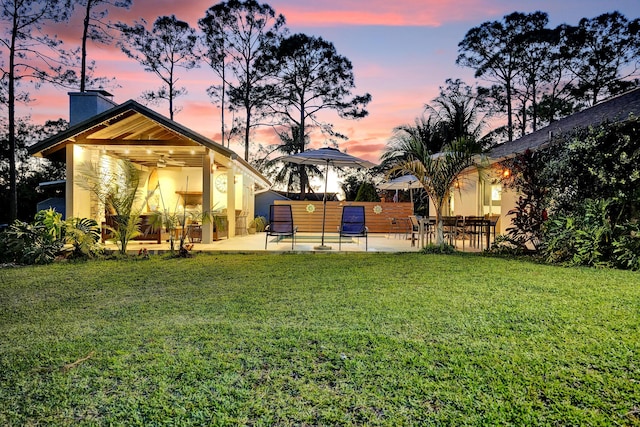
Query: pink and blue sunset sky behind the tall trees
(402,52)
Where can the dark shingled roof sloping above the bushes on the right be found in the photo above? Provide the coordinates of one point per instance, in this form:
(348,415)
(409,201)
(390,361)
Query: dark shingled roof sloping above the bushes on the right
(617,108)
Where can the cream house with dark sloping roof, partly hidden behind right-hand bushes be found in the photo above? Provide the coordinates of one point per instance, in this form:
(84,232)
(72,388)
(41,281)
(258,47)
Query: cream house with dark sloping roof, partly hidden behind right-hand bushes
(476,196)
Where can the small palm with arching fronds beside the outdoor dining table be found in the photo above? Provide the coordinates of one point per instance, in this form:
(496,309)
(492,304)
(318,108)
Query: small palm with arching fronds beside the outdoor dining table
(436,172)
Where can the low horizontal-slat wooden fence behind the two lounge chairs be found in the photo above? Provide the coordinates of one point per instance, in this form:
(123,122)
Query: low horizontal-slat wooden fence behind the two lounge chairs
(307,215)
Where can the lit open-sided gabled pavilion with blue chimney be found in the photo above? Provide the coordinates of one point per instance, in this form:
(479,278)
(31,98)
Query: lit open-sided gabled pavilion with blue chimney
(180,169)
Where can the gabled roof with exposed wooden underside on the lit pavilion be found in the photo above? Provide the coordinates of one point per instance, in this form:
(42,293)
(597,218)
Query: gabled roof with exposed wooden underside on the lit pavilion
(131,123)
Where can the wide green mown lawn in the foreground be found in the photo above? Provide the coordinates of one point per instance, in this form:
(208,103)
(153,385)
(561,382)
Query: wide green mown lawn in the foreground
(304,339)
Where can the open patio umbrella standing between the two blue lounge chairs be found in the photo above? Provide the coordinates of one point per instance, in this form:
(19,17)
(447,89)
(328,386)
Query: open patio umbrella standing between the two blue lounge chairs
(329,157)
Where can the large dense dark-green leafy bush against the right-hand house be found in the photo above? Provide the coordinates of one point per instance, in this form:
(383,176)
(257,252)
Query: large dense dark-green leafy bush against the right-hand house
(588,182)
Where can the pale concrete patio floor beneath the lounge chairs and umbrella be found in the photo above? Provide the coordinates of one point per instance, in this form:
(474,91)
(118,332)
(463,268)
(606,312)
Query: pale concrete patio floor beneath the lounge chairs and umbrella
(305,242)
